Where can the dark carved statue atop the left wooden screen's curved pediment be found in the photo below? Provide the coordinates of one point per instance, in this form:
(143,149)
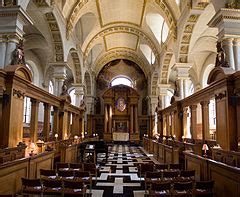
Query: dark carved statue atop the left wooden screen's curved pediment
(18,55)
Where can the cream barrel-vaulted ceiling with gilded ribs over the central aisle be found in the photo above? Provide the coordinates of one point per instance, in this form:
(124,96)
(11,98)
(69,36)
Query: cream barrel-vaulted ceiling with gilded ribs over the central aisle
(107,30)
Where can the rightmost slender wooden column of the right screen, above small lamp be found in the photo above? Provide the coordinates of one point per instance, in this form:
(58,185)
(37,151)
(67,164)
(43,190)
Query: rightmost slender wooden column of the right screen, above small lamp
(205,119)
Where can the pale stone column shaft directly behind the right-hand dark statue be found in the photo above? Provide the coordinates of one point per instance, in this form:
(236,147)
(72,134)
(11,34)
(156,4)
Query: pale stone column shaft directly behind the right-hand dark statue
(228,48)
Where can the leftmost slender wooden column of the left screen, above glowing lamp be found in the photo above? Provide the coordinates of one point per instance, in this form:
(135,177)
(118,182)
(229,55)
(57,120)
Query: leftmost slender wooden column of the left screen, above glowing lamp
(34,120)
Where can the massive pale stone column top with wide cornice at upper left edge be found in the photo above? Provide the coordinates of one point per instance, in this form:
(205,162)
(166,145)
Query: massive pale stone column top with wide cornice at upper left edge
(13,19)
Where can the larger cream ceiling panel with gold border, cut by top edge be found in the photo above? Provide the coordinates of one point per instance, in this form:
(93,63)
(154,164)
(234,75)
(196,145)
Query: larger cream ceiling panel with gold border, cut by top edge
(126,11)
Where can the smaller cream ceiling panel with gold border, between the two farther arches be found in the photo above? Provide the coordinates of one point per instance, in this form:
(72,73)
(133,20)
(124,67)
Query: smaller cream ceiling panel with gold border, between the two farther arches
(121,40)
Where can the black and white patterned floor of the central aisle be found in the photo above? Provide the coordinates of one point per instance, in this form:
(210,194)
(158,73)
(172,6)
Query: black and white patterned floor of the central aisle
(119,177)
